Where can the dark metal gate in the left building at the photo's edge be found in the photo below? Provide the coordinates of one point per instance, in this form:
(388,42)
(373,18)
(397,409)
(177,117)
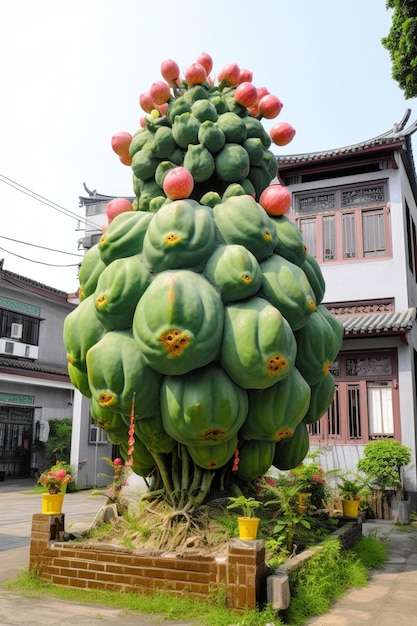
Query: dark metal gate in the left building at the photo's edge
(16,424)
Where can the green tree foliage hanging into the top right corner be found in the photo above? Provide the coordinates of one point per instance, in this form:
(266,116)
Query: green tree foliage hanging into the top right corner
(401,43)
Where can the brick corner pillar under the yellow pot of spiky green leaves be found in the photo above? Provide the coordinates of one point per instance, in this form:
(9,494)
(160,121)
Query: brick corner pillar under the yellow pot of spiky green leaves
(246,573)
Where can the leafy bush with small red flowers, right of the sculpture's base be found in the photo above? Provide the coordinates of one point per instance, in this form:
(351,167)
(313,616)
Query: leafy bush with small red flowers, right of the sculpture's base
(311,479)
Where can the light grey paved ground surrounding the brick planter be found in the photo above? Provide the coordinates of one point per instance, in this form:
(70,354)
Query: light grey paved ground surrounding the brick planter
(389,599)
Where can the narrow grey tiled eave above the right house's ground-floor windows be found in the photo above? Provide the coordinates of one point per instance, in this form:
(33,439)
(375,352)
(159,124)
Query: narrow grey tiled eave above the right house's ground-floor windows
(394,322)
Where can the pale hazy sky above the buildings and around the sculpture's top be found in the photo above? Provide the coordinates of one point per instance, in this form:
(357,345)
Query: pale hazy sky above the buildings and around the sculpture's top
(71,76)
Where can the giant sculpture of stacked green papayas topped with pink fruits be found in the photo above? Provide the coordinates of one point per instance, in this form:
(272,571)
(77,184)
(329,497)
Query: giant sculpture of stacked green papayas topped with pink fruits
(200,337)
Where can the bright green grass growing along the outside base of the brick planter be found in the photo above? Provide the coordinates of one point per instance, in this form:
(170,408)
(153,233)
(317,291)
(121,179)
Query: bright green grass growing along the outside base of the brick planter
(314,587)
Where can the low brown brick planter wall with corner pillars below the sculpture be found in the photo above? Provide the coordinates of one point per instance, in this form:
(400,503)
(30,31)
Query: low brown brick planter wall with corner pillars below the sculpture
(85,566)
